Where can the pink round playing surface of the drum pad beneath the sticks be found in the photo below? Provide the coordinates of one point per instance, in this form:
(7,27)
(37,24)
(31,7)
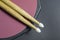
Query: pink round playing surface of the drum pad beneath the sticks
(9,26)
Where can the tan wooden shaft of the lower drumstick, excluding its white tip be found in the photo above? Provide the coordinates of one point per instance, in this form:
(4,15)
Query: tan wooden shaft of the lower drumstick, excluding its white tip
(18,16)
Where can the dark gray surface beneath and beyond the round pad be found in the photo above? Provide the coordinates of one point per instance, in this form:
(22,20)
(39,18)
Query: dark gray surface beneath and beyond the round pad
(50,16)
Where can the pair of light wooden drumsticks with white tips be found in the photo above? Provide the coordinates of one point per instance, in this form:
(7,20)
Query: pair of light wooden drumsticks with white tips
(18,13)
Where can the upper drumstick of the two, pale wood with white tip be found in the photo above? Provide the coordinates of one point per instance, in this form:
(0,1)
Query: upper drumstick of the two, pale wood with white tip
(22,12)
